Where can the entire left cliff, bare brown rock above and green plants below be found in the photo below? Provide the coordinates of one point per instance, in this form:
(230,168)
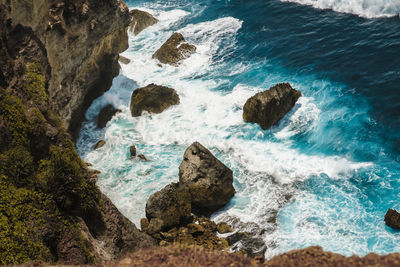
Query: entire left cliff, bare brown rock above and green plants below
(50,207)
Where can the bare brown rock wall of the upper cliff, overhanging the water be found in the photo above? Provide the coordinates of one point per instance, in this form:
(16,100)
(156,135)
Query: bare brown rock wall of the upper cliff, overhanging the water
(82,39)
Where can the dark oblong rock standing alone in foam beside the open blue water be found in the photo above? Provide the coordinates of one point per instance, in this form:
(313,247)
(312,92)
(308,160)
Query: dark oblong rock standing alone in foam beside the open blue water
(268,107)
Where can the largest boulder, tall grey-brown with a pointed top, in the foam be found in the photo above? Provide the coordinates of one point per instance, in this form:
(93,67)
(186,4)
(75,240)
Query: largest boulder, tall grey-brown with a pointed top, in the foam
(208,179)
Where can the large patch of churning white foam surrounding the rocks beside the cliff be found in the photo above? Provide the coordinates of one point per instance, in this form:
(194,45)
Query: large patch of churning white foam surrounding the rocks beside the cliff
(265,163)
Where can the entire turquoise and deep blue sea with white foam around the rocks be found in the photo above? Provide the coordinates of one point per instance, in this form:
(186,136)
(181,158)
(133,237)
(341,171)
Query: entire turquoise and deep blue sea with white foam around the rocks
(329,169)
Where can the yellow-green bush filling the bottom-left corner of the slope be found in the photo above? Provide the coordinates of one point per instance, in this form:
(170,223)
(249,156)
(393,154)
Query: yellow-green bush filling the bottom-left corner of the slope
(22,215)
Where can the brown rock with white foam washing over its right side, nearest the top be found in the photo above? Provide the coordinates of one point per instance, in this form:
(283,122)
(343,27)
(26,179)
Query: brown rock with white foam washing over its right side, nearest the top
(174,50)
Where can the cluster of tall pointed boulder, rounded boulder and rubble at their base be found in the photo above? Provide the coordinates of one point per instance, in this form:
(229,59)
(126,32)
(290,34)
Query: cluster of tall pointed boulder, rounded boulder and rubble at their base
(169,216)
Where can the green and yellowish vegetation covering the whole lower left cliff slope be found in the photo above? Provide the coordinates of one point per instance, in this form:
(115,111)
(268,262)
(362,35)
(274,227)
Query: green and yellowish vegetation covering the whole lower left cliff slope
(42,178)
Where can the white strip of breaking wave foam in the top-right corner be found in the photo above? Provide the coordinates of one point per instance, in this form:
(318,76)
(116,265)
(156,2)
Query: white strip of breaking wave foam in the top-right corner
(363,8)
